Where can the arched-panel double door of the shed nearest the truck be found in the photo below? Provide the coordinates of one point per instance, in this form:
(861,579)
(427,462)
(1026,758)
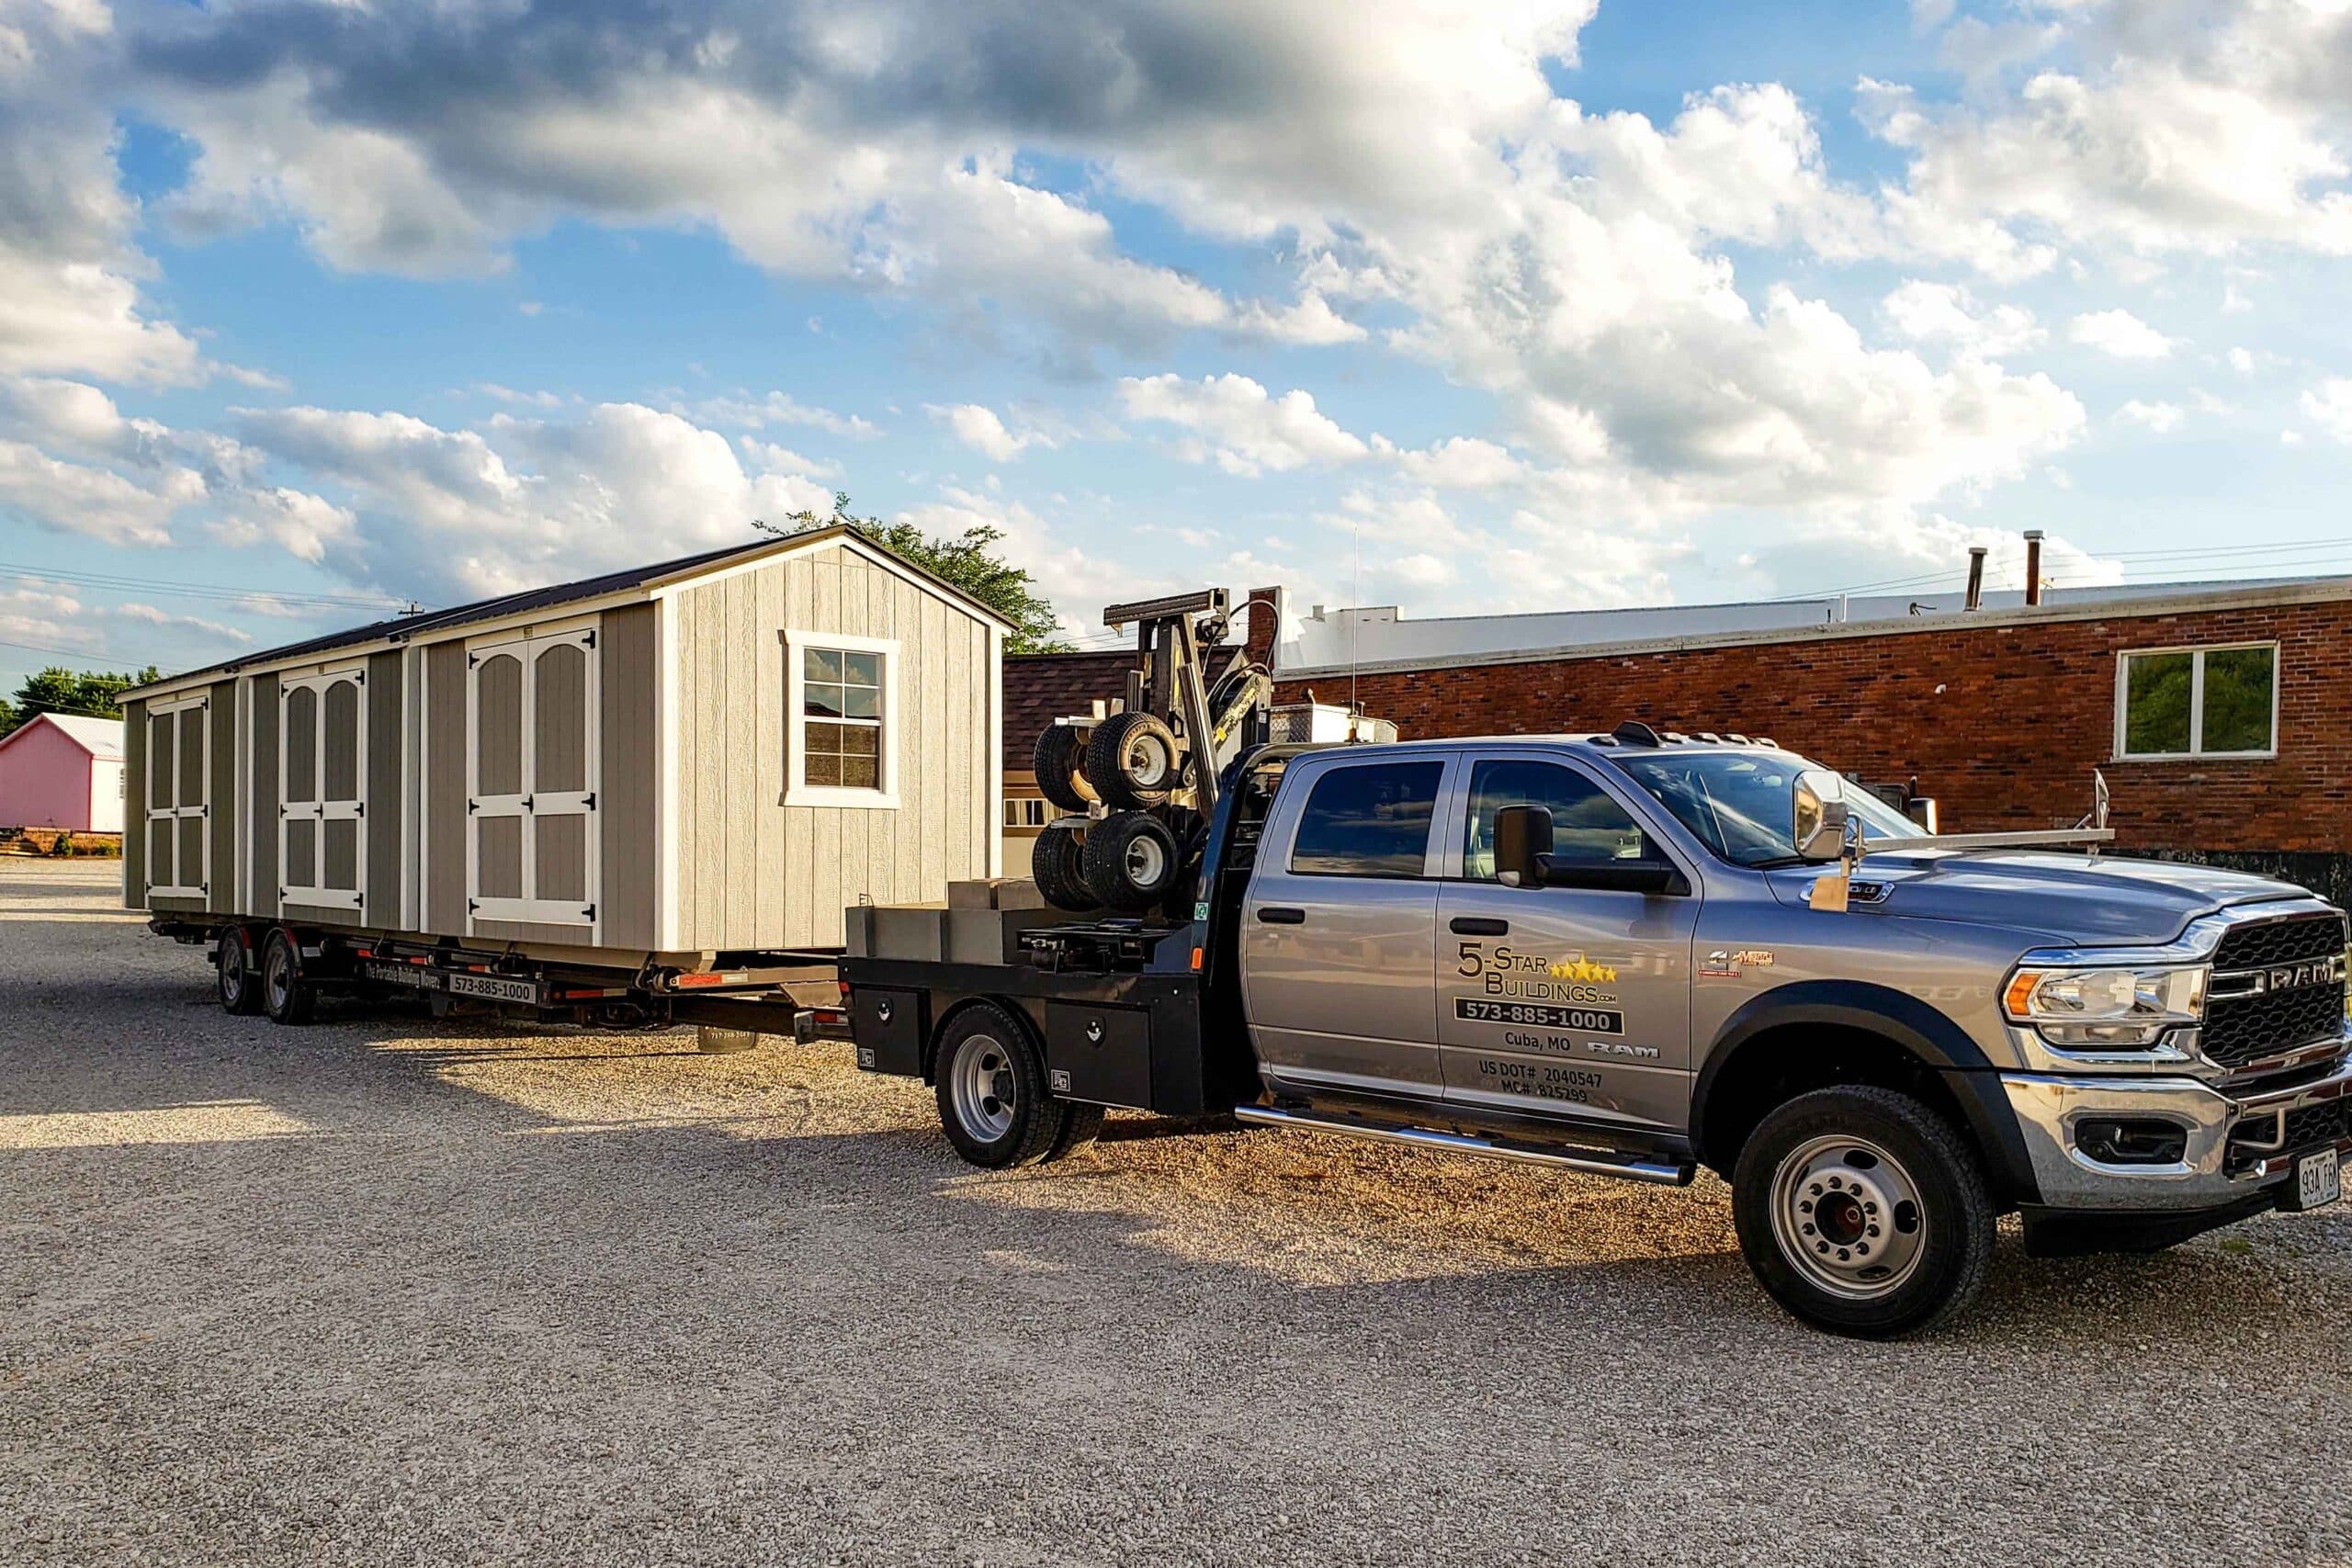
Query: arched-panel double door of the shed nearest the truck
(533,791)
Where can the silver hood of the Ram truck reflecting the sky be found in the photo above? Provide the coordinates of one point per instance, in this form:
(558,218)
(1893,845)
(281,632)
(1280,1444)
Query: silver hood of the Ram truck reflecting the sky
(2069,899)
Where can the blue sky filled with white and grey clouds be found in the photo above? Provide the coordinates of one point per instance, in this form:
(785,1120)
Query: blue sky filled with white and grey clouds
(312,311)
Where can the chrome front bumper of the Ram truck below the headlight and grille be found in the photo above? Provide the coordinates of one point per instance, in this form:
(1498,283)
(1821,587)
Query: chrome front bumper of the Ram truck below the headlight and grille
(2233,1146)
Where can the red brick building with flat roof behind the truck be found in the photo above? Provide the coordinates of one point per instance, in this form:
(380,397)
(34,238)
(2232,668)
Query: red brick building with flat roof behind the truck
(2219,713)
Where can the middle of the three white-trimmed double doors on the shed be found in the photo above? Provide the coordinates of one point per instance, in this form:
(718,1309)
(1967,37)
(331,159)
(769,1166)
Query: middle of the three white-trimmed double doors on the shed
(323,791)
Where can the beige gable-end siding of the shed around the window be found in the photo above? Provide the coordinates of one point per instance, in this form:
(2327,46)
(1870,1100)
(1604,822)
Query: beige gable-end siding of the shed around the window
(756,873)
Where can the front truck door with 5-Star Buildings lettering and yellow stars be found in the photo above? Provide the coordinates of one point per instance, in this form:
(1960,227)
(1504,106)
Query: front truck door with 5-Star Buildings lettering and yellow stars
(1558,1000)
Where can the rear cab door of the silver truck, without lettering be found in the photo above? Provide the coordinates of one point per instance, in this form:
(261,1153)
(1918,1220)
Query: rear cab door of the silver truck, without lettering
(1339,932)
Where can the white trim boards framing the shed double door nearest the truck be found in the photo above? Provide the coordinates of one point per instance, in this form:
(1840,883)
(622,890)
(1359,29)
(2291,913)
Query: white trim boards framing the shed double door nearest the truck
(528,645)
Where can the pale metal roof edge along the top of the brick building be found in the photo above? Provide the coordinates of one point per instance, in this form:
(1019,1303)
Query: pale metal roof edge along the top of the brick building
(1831,631)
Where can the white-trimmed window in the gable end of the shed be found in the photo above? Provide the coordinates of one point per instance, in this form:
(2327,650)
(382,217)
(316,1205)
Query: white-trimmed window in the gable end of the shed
(841,706)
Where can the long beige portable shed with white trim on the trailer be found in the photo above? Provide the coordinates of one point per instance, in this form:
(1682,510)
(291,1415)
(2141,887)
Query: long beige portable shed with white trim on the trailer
(648,770)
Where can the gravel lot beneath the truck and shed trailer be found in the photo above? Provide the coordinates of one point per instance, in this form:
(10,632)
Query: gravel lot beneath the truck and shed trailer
(389,1292)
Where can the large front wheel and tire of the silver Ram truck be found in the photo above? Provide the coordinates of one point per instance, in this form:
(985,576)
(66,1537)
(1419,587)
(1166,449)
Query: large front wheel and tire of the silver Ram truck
(1864,1158)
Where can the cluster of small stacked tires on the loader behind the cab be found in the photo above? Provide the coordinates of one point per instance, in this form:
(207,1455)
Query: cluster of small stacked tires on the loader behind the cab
(1125,843)
